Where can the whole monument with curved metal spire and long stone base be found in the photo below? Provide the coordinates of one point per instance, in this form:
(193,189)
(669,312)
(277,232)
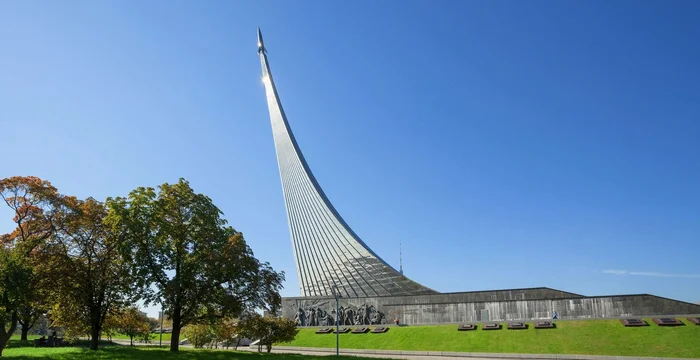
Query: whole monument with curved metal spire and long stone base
(328,255)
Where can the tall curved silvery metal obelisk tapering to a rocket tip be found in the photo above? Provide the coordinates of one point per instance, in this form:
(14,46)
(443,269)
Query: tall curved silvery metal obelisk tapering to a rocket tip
(326,251)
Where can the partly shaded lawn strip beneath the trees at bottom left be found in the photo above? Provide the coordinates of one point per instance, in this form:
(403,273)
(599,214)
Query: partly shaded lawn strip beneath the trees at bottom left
(148,353)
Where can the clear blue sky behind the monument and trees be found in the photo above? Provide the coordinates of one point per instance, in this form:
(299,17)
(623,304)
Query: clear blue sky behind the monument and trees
(556,143)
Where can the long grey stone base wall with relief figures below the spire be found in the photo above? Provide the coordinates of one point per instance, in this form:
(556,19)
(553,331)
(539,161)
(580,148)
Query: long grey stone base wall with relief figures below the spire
(502,305)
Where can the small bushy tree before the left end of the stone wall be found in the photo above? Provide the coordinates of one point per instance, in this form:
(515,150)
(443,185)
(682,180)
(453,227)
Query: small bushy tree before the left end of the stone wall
(268,329)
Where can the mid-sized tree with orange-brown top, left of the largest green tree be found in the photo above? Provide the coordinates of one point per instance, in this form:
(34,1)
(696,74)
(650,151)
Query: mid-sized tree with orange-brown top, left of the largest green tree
(91,276)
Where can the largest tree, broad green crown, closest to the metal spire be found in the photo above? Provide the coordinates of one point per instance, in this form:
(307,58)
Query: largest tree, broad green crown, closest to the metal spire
(184,255)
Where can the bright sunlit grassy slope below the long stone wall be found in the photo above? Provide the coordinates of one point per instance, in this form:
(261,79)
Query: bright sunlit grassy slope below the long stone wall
(595,337)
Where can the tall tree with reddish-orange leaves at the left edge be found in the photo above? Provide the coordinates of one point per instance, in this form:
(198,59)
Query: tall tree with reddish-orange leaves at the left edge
(33,202)
